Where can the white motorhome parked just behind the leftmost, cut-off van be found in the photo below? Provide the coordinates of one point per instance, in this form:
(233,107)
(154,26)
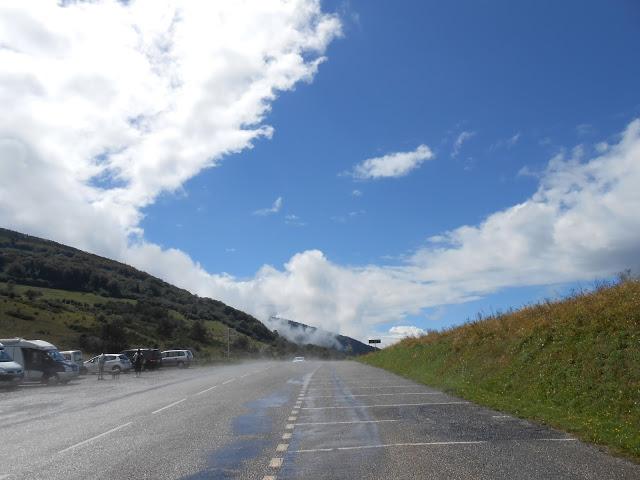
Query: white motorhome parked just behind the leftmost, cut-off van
(41,361)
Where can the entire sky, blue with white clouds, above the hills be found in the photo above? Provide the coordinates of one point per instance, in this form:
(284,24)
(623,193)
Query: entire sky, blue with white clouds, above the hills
(372,168)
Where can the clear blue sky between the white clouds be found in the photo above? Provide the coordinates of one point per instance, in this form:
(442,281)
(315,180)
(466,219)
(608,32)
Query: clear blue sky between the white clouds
(550,74)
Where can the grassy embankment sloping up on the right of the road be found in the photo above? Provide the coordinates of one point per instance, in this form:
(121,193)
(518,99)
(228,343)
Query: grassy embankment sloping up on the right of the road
(572,364)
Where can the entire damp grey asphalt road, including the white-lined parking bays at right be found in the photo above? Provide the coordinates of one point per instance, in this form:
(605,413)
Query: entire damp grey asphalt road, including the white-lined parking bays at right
(278,420)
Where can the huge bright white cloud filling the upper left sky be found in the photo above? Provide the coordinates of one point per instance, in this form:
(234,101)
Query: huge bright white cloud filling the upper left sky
(107,104)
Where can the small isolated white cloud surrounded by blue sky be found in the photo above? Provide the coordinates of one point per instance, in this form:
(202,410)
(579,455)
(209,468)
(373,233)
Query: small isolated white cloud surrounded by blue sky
(396,164)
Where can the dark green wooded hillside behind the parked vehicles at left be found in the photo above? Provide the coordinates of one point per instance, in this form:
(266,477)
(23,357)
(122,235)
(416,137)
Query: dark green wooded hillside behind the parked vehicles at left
(82,301)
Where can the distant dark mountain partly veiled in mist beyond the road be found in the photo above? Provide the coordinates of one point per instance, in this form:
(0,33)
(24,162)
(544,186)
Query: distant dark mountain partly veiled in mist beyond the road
(302,334)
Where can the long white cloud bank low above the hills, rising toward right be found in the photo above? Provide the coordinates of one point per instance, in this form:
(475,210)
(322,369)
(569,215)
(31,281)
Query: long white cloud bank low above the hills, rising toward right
(579,225)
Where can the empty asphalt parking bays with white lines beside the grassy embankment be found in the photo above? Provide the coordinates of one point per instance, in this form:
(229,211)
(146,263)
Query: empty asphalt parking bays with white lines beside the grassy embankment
(367,423)
